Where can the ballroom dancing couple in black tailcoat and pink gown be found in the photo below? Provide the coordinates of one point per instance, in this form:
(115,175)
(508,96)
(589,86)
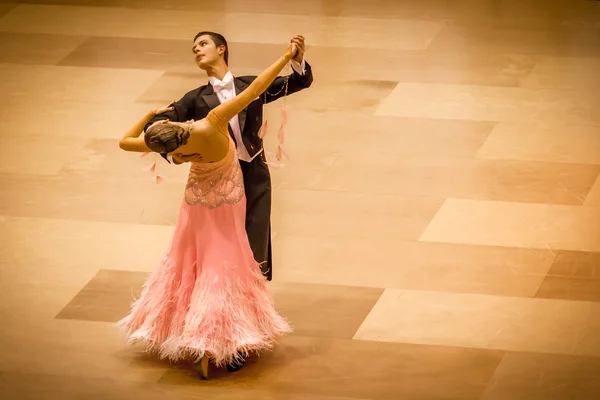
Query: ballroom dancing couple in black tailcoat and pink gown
(208,298)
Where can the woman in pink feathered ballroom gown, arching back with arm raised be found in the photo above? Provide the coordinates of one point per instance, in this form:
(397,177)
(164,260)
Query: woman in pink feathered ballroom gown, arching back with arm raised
(208,297)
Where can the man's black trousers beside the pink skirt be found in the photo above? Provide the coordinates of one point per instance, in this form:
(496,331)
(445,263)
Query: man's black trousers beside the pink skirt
(257,183)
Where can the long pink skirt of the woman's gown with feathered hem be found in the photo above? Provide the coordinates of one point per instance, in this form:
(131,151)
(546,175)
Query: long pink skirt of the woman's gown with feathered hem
(207,294)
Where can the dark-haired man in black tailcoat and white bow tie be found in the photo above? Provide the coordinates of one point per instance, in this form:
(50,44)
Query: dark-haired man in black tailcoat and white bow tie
(212,55)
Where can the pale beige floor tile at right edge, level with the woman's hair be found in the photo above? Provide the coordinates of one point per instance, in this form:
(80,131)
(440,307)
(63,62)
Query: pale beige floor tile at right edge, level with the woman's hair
(543,142)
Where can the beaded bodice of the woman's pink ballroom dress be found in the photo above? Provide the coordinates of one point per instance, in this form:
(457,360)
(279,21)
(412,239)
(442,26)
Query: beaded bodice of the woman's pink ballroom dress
(214,184)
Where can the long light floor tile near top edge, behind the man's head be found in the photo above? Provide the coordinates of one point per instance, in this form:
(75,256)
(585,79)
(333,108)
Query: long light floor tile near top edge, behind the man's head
(324,31)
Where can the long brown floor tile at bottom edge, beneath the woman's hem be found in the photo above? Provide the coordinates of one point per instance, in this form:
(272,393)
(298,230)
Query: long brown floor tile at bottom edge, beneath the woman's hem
(362,370)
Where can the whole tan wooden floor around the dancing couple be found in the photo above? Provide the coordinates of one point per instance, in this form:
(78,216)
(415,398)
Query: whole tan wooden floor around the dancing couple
(437,229)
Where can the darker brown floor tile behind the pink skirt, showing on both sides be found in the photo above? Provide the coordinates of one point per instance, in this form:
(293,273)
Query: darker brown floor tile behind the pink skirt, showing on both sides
(314,310)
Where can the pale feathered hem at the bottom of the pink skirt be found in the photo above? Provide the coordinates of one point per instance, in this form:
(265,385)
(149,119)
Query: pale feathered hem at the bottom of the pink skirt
(226,322)
